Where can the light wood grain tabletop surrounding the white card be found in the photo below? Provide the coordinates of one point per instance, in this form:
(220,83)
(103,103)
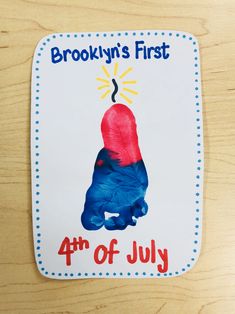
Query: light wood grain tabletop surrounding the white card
(210,286)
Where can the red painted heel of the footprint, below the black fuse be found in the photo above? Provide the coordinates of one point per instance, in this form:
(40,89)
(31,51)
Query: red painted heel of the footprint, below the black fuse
(119,133)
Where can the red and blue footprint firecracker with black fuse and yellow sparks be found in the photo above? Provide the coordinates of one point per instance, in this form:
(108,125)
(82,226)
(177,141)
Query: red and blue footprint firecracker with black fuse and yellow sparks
(120,179)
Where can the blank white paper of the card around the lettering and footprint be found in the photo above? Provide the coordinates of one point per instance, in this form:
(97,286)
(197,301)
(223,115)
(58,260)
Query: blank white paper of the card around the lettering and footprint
(70,138)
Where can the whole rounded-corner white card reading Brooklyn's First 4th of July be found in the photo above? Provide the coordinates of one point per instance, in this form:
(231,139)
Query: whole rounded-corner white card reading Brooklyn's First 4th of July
(117,154)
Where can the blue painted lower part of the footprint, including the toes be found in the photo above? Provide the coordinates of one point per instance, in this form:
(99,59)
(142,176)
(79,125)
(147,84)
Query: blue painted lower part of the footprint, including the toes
(115,189)
